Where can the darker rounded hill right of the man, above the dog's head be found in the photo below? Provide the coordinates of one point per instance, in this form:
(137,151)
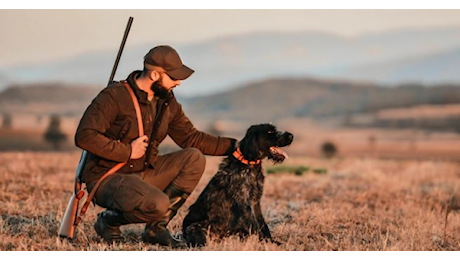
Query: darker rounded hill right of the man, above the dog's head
(278,98)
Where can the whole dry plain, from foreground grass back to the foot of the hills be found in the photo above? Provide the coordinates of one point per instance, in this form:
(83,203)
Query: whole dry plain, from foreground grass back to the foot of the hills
(398,192)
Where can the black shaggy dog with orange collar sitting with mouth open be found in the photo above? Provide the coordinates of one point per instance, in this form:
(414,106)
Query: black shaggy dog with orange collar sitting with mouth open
(230,203)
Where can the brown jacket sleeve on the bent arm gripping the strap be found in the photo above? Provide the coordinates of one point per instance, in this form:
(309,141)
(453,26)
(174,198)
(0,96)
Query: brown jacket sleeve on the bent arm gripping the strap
(97,118)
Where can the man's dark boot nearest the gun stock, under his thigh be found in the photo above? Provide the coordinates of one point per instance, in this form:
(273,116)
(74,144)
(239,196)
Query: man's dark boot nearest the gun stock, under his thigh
(108,225)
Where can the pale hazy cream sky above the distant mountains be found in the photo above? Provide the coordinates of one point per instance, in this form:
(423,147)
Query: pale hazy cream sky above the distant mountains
(29,36)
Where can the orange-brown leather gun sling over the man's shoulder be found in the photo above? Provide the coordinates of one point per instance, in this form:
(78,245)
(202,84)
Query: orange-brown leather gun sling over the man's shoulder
(118,166)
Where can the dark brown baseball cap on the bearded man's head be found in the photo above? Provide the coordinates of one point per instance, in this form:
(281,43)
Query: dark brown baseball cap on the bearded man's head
(166,57)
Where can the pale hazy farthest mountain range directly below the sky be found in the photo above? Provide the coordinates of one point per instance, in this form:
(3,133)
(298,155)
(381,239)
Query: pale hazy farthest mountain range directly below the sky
(224,63)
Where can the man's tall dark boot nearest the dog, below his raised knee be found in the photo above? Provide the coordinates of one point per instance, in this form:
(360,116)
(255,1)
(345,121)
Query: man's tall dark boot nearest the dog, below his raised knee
(156,232)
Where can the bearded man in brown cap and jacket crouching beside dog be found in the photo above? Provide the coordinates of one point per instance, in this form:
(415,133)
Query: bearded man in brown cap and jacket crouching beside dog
(150,188)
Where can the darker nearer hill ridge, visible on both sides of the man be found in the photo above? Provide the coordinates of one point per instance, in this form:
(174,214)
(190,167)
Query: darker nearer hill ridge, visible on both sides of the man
(263,100)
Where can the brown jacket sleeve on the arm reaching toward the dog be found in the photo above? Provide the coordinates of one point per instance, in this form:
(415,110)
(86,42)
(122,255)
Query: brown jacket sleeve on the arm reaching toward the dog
(182,131)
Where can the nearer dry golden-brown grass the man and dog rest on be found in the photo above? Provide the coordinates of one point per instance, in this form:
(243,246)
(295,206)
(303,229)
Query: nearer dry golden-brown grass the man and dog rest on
(360,204)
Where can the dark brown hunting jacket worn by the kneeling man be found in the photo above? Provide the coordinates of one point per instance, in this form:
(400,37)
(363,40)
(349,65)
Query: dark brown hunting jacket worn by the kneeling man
(109,125)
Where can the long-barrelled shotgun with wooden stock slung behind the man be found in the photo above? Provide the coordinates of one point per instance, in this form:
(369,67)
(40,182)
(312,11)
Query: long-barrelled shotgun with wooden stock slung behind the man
(68,223)
